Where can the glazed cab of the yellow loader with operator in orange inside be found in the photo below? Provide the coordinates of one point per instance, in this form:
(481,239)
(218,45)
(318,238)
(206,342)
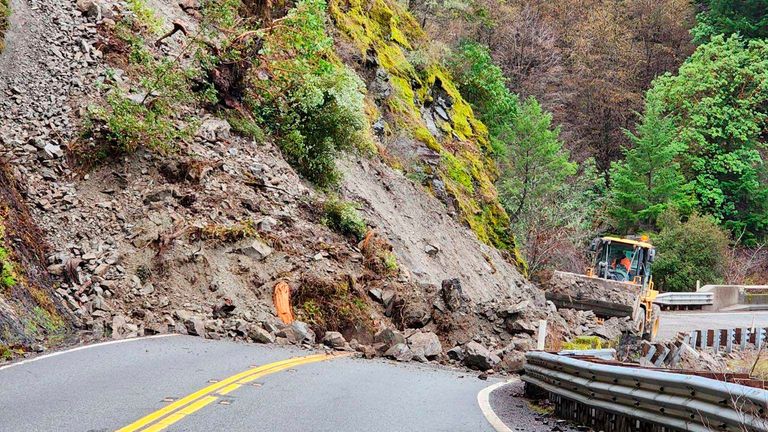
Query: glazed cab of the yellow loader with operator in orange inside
(623,260)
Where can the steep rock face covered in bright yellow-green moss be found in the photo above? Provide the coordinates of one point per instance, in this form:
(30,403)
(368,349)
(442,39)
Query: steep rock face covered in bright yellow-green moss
(385,34)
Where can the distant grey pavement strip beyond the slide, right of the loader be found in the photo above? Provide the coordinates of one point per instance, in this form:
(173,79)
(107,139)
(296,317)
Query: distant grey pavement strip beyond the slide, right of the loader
(674,322)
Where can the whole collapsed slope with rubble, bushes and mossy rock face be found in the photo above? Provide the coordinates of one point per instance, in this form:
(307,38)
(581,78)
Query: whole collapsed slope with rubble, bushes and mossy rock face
(165,149)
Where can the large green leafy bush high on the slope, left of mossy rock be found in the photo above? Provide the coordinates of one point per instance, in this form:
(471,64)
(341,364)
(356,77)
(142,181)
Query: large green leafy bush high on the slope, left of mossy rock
(312,102)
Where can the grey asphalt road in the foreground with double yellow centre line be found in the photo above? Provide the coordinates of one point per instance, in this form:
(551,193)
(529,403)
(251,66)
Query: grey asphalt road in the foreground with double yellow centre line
(181,383)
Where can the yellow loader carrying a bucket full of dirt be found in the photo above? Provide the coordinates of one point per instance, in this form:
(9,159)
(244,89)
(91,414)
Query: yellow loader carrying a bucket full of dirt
(618,283)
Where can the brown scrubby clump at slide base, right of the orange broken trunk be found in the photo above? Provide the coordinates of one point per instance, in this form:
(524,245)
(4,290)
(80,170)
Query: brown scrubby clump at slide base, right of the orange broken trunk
(331,305)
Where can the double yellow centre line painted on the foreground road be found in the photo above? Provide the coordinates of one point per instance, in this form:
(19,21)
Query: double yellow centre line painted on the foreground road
(176,411)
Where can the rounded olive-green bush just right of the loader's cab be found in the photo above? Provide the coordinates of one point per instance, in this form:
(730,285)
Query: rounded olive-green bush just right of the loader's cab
(695,249)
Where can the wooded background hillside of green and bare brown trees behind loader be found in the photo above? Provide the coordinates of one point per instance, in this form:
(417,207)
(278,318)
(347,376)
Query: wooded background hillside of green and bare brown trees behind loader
(617,113)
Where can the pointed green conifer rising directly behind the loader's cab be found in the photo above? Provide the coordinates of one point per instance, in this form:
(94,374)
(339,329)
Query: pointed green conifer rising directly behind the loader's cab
(648,180)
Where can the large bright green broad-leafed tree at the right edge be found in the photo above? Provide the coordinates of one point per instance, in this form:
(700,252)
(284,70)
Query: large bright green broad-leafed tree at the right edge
(719,104)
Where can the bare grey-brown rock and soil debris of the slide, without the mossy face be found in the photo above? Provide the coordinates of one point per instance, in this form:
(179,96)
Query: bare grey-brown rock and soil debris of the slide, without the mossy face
(195,240)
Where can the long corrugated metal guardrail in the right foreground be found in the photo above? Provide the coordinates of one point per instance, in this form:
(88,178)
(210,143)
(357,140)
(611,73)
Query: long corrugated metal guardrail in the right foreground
(618,398)
